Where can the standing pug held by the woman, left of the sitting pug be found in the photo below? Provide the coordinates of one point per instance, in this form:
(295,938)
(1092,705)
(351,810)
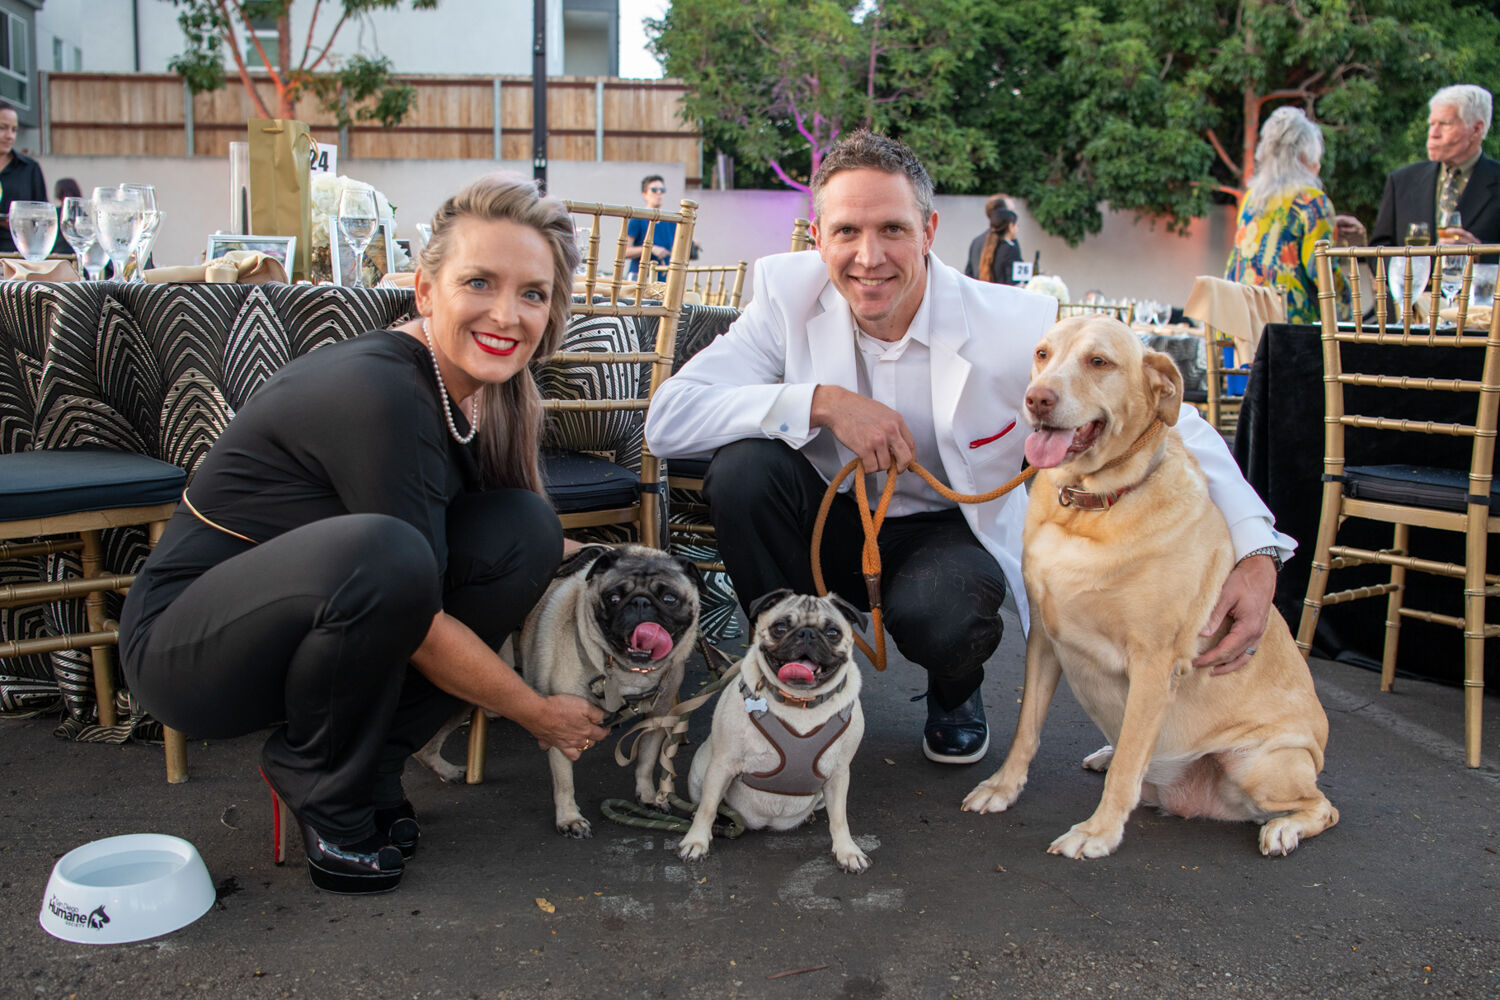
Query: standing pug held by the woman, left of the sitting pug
(617,627)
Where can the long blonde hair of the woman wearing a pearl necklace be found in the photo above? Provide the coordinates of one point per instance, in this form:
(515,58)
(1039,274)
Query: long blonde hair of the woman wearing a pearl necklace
(511,412)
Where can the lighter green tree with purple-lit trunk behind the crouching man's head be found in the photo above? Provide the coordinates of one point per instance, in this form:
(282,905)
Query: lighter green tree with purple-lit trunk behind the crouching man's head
(778,82)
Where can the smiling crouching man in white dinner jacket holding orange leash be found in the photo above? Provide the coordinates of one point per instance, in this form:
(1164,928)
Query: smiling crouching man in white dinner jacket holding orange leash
(878,350)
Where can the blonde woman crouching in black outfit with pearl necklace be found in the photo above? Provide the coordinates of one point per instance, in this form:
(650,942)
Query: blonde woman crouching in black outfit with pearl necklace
(365,534)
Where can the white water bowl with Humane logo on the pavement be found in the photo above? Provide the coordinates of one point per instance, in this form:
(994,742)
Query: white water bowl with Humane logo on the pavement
(127,890)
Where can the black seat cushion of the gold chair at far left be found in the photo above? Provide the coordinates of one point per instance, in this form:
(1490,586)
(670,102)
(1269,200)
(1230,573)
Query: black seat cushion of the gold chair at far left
(73,481)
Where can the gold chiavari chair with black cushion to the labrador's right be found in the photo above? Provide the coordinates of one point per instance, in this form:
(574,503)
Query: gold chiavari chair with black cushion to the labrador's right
(1393,397)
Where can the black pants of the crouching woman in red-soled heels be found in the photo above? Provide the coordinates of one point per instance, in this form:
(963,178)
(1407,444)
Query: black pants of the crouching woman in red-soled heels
(316,629)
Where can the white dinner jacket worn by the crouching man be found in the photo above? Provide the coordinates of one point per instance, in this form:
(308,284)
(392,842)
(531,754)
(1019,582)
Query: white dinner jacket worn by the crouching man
(799,334)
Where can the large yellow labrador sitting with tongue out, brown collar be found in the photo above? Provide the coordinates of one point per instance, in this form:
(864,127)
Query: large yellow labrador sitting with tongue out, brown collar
(1124,560)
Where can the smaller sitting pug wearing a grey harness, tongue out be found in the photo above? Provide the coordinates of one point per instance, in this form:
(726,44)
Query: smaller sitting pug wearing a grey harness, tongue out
(785,734)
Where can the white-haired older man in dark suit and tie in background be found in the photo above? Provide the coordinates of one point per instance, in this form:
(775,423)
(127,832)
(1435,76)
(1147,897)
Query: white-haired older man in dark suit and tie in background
(1457,175)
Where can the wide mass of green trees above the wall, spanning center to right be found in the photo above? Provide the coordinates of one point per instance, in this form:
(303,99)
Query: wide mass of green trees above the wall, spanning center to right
(1145,106)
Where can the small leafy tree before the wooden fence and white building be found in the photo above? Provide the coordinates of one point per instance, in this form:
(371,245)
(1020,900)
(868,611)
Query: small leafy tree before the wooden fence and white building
(358,88)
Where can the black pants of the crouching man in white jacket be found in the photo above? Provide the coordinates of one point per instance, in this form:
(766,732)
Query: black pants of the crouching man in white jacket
(941,590)
